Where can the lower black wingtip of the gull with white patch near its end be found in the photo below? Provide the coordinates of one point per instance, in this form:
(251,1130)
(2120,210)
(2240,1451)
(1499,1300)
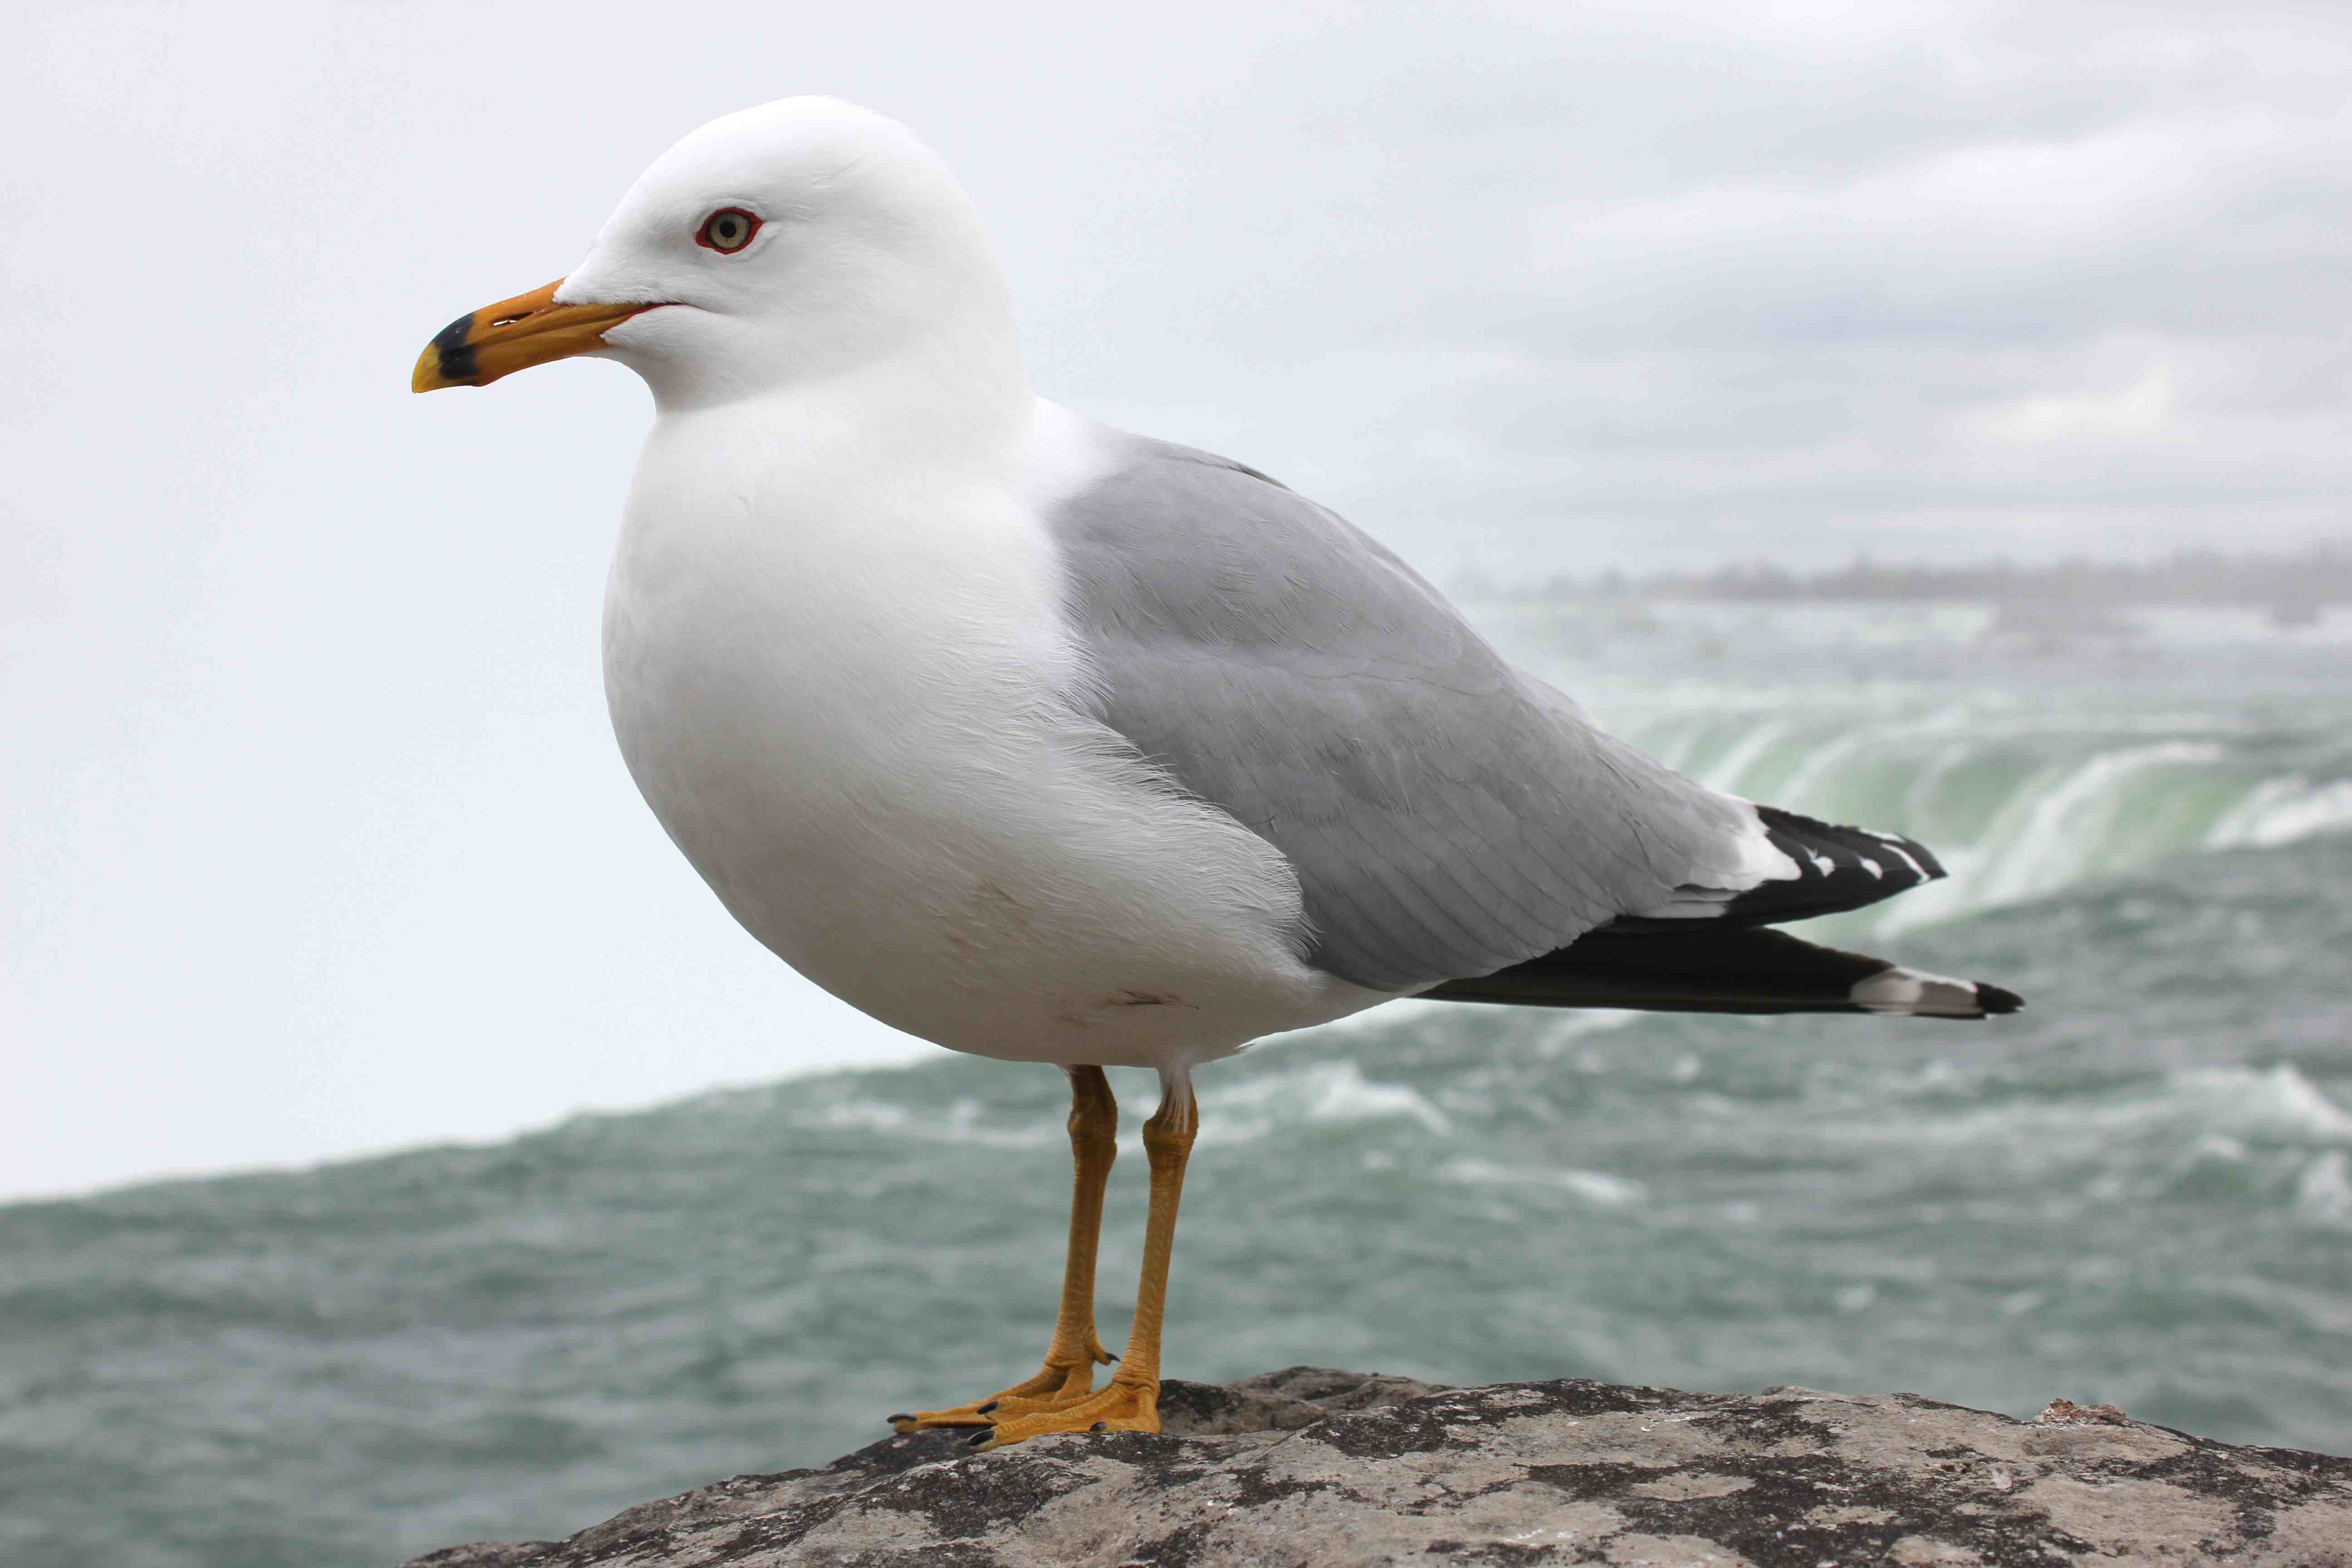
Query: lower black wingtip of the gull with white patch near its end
(1709,970)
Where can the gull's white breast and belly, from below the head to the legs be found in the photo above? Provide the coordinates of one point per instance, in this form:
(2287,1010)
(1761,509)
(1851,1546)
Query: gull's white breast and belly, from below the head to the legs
(860,730)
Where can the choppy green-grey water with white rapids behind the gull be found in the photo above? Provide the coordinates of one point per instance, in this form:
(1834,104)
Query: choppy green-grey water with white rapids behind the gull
(2137,1193)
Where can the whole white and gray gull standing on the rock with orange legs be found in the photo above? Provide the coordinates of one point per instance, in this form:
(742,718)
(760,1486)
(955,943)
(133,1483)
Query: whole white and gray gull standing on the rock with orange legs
(1057,744)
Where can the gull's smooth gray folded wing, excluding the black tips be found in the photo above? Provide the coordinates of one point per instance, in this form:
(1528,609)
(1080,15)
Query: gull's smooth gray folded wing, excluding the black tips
(1445,815)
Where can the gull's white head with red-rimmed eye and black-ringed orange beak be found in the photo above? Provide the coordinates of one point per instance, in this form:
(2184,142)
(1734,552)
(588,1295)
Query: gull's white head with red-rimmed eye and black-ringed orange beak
(791,243)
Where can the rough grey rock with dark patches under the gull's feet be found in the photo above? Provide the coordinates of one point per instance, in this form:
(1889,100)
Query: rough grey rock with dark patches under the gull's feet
(1323,1468)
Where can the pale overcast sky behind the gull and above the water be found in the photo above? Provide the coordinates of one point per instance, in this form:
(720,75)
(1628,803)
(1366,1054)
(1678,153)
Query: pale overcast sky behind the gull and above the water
(316,836)
